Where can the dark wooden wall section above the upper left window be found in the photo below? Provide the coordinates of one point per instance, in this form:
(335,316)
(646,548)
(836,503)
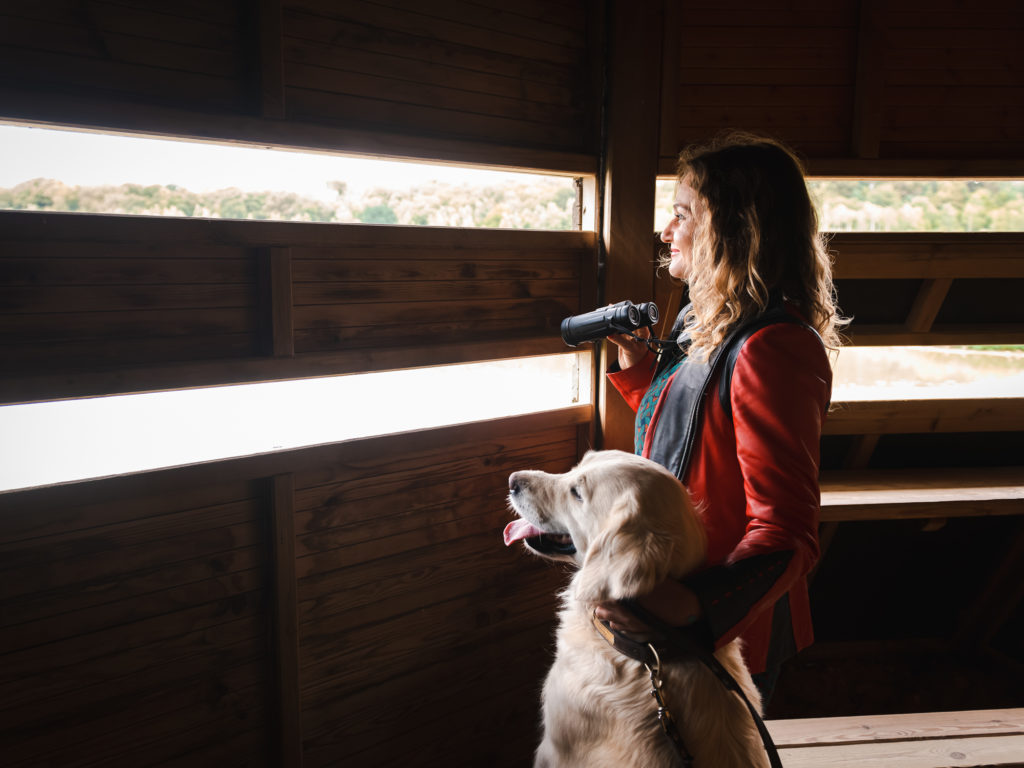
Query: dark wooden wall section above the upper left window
(448,80)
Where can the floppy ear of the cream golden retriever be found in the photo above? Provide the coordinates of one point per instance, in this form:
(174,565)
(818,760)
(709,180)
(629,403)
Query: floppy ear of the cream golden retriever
(626,560)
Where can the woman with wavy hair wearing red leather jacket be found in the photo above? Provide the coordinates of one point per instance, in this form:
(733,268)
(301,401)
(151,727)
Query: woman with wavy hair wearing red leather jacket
(746,442)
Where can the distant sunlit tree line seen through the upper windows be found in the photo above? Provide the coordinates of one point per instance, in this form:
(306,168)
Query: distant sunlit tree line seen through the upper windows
(536,204)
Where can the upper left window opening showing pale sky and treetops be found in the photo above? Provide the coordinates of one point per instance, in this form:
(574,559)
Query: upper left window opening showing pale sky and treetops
(45,169)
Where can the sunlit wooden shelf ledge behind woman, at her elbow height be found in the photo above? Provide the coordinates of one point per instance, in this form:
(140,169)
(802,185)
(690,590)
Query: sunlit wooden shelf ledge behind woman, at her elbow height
(890,495)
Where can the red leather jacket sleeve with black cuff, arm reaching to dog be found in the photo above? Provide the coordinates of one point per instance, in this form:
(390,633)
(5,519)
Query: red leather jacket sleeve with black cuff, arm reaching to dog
(780,395)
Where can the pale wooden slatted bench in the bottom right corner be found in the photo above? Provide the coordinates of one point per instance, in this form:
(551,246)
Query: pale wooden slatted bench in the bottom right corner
(942,740)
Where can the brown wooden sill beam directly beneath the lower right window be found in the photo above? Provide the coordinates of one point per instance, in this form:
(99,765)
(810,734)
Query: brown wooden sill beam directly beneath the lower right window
(899,417)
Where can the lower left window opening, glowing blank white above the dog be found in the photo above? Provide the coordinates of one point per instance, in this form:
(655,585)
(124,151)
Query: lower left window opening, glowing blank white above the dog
(67,441)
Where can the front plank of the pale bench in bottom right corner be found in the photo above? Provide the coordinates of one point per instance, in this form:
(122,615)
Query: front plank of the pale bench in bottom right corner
(950,753)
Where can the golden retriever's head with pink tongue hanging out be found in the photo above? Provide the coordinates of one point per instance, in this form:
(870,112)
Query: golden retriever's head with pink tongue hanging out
(625,521)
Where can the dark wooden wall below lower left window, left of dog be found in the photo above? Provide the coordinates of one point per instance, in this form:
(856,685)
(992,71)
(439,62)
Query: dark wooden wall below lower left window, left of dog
(351,605)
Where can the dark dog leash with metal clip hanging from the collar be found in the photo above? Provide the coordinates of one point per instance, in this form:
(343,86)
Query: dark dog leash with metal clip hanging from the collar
(680,644)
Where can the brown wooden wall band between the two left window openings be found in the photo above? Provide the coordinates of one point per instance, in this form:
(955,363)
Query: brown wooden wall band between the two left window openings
(102,305)
